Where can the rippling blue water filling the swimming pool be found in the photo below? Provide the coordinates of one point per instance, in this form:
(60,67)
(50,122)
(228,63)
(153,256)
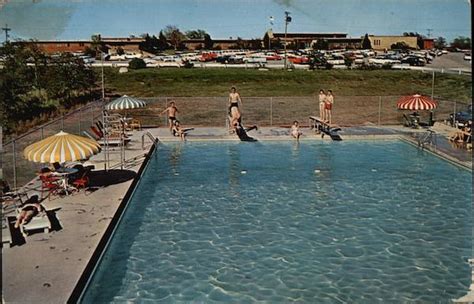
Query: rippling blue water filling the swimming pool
(319,222)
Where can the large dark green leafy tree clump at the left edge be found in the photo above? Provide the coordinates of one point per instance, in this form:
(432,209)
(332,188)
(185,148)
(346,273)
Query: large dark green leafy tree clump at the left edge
(32,82)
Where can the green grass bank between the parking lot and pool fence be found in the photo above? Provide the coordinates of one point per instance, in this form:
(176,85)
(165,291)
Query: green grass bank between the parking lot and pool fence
(250,82)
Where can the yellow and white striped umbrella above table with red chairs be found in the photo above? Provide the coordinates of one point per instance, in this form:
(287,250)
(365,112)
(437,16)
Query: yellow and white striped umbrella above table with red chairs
(61,147)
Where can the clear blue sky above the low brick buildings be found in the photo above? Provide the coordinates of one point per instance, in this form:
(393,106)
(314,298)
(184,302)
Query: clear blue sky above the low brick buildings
(79,19)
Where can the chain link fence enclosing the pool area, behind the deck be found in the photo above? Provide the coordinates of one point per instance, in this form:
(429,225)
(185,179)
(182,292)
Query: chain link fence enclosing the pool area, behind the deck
(213,111)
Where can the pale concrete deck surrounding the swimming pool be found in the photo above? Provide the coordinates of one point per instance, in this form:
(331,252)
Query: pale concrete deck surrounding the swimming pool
(45,268)
